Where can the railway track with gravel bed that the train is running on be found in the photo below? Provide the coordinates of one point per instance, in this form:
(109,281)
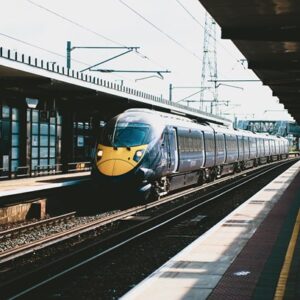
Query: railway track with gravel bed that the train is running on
(33,245)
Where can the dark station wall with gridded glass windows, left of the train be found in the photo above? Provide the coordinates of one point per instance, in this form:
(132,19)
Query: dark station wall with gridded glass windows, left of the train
(41,140)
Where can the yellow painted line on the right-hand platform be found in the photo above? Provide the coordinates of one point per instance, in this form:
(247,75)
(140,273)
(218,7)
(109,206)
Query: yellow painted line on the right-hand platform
(281,285)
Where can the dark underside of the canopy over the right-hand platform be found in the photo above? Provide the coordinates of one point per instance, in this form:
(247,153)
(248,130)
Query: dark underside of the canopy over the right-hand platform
(267,32)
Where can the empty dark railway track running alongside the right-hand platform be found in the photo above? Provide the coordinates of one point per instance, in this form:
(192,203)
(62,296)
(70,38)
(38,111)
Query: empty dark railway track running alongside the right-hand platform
(144,222)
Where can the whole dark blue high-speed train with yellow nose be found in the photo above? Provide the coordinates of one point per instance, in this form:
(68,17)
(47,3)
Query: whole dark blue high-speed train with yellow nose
(149,153)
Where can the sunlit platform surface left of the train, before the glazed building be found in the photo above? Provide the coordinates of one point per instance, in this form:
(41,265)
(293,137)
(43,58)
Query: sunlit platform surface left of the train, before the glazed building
(13,187)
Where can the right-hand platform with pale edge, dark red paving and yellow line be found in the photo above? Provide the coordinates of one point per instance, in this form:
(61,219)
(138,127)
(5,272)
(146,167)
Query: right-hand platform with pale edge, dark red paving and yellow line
(253,253)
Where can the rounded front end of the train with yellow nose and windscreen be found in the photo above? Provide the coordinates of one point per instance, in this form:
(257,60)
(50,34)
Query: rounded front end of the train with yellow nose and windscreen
(123,163)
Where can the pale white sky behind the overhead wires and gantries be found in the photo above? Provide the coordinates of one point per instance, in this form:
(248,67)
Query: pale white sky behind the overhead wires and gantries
(169,34)
